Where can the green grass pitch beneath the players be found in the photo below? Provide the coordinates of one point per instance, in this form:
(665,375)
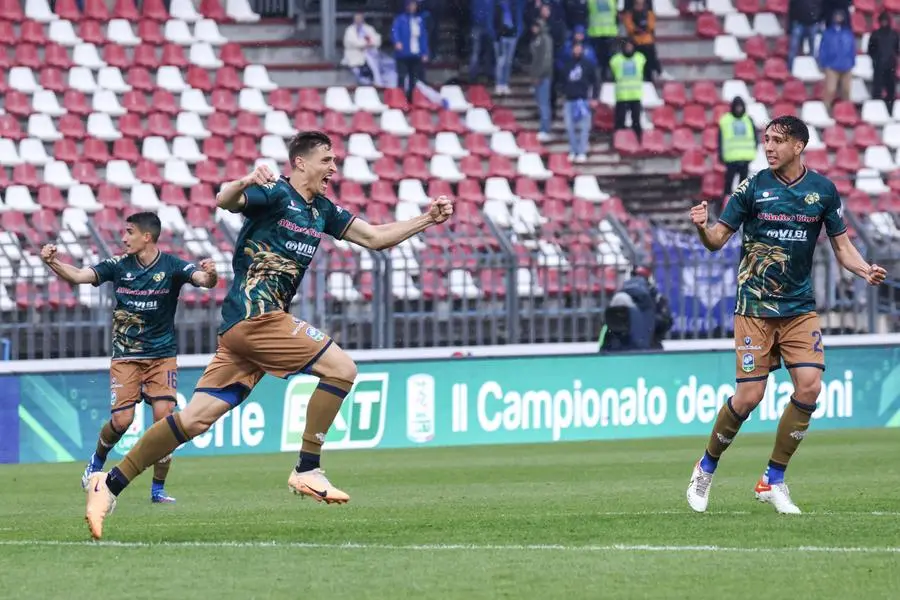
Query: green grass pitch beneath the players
(567,520)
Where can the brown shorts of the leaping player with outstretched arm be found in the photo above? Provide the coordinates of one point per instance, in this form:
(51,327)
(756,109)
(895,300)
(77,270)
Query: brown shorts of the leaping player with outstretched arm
(276,343)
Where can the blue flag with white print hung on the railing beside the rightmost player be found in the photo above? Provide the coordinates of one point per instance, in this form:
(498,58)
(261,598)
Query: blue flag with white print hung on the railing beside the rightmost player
(700,285)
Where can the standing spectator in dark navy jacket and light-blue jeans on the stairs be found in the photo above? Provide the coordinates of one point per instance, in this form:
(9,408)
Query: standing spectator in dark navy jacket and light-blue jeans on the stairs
(581,90)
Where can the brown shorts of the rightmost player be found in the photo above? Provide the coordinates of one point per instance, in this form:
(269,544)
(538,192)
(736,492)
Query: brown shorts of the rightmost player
(762,343)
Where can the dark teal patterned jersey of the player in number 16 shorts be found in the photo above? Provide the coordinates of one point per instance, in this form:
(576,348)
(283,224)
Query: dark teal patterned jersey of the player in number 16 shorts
(146,300)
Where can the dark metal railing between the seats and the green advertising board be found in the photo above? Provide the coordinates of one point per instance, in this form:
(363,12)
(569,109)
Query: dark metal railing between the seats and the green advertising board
(472,285)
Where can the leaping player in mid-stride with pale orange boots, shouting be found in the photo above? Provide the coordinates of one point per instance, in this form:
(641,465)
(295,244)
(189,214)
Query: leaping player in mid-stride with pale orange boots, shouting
(285,219)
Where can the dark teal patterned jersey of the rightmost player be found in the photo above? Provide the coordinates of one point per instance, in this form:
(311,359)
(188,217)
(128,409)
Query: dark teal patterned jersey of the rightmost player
(782,222)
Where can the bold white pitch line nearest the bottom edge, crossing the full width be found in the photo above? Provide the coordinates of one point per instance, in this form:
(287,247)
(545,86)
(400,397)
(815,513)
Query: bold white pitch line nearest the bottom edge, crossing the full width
(457,547)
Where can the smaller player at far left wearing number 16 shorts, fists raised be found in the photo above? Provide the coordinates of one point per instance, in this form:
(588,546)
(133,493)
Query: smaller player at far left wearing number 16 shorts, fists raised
(147,283)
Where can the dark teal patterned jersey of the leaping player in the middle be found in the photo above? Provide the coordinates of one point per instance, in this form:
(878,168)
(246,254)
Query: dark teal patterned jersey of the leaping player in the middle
(277,243)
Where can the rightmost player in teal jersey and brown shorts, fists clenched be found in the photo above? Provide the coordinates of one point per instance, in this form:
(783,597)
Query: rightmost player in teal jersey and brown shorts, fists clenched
(782,210)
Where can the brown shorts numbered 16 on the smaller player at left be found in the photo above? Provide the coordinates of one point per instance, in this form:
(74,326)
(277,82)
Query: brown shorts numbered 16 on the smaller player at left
(148,379)
